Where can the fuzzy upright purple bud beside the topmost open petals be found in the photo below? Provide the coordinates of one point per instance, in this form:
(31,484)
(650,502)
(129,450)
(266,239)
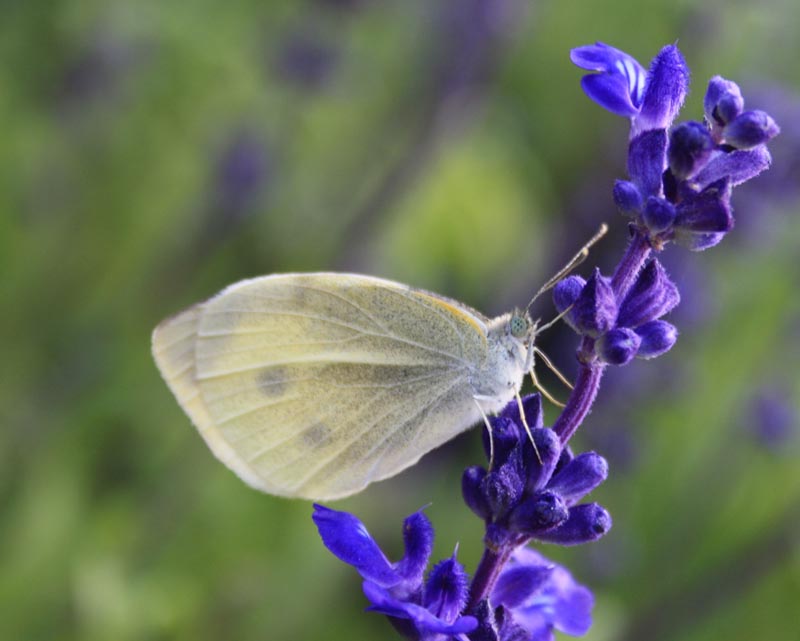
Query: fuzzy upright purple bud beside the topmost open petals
(664,93)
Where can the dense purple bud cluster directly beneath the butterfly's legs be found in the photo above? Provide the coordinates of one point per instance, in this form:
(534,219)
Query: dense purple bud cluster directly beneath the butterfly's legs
(533,493)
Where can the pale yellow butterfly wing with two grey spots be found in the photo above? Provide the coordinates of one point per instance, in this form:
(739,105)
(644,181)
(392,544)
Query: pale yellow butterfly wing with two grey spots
(314,385)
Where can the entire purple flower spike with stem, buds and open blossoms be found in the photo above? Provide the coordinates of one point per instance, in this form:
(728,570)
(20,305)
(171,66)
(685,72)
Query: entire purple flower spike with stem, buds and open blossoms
(678,190)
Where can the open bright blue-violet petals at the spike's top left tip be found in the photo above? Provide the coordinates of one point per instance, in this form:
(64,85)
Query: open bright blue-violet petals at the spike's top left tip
(620,84)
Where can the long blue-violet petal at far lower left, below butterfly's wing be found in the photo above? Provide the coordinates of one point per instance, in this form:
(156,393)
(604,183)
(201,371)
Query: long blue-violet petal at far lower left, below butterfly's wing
(348,539)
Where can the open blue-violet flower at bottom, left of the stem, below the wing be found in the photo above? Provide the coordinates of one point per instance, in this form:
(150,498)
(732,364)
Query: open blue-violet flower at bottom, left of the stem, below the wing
(421,610)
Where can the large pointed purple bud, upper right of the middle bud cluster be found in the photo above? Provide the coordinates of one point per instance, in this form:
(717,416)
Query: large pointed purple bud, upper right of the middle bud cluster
(652,295)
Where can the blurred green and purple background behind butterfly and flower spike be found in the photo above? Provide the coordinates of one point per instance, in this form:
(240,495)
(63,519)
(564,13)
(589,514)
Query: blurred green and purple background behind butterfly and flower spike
(153,152)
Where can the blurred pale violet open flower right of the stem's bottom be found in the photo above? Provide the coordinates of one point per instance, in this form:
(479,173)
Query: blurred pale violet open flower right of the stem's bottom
(539,597)
